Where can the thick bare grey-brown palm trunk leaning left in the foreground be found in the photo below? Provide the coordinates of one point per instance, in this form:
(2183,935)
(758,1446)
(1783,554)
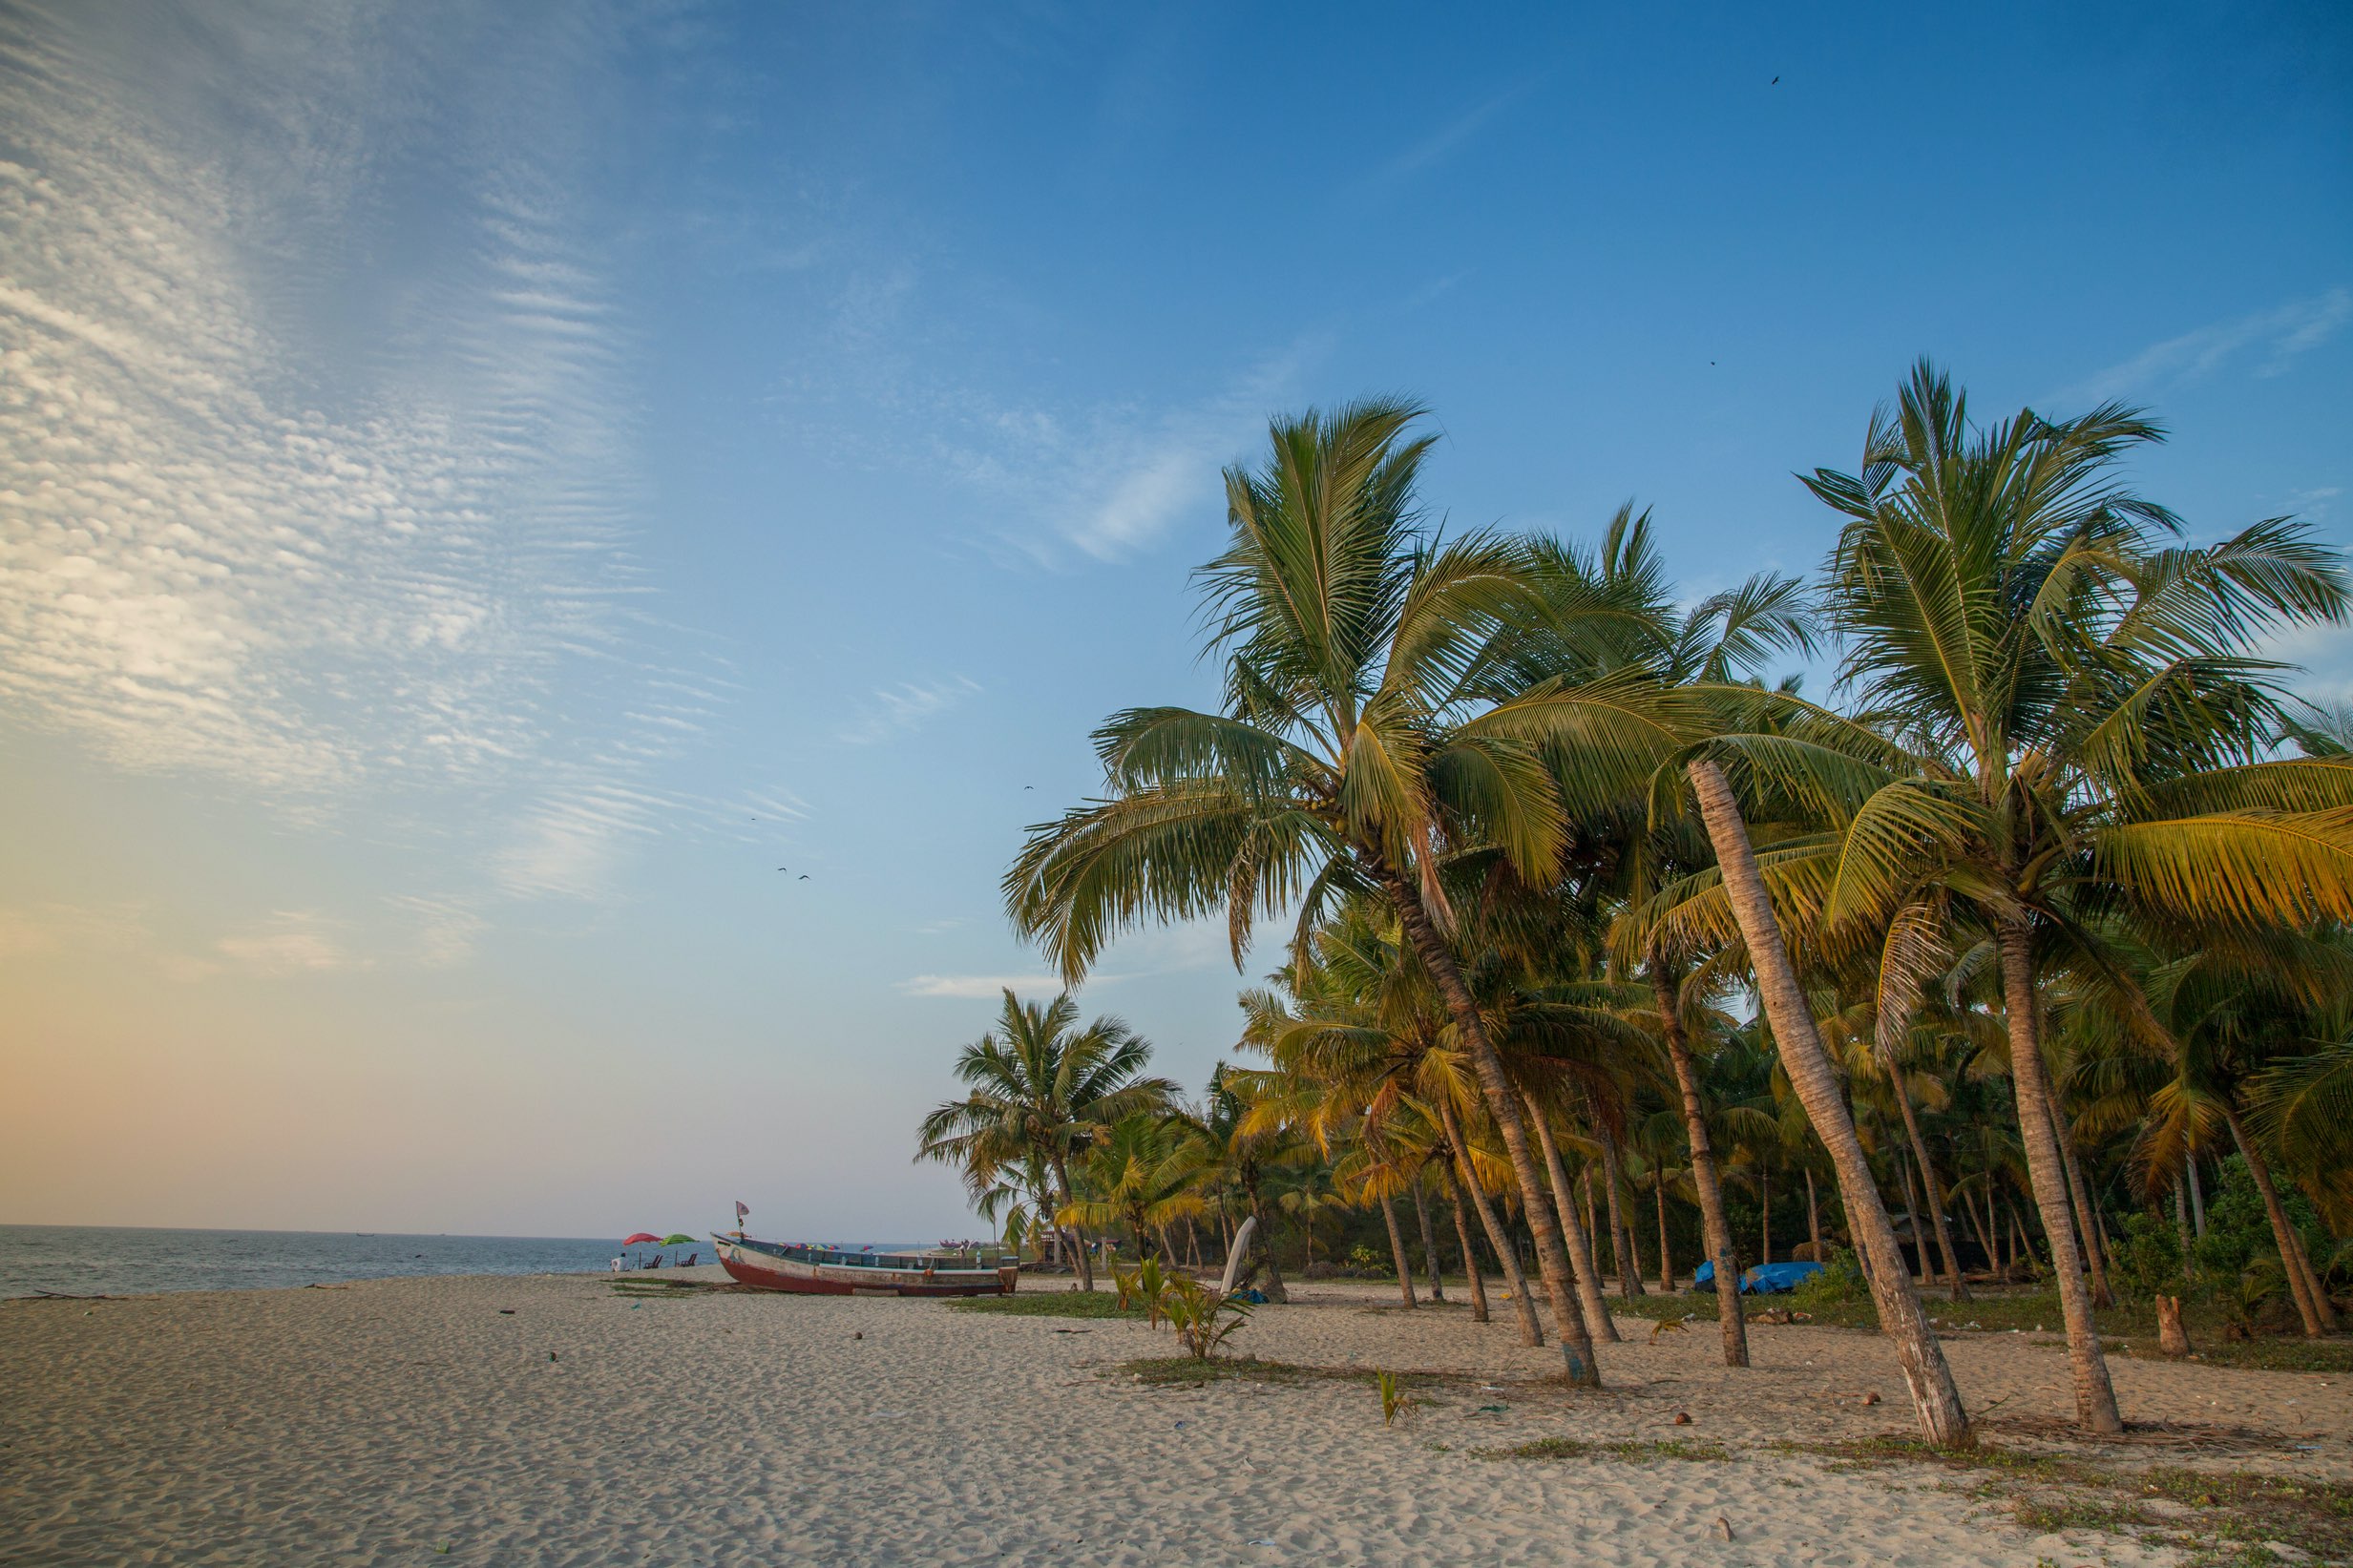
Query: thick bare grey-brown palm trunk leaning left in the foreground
(1935,1398)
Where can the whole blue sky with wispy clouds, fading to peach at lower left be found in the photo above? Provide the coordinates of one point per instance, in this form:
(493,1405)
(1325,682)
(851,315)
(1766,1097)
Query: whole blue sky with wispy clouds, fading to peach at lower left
(484,490)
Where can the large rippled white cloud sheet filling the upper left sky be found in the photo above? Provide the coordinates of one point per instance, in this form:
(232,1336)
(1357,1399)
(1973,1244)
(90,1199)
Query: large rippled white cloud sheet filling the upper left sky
(307,514)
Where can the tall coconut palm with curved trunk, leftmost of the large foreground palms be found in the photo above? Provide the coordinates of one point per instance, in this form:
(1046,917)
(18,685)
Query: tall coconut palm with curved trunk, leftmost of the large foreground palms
(1361,746)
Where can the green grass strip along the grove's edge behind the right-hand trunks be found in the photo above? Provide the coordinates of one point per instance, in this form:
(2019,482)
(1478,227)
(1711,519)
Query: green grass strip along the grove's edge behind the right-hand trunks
(2133,1327)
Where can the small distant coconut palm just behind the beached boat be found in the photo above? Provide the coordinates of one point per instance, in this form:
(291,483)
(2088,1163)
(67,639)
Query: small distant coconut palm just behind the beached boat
(1039,1087)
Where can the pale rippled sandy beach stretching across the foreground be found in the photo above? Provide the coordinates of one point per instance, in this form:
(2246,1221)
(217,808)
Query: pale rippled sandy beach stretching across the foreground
(549,1421)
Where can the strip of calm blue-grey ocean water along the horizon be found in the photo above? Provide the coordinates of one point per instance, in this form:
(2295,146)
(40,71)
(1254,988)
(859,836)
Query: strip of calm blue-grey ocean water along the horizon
(114,1261)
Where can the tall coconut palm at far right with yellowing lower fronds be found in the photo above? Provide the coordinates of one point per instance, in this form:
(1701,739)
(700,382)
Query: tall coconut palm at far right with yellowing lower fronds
(2072,718)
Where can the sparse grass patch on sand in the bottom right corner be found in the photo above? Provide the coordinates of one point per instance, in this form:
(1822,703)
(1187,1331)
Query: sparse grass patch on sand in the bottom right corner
(2234,1513)
